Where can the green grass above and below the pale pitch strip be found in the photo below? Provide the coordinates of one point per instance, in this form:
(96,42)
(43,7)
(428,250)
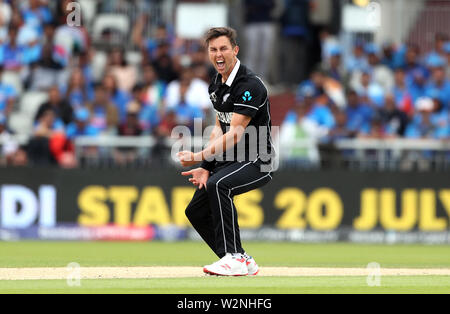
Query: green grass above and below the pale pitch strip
(60,254)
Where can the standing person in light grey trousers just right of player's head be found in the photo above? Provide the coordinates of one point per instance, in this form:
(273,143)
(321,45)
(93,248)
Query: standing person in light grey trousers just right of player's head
(259,35)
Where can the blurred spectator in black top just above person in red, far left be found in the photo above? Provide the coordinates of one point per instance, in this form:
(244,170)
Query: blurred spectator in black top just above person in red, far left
(60,106)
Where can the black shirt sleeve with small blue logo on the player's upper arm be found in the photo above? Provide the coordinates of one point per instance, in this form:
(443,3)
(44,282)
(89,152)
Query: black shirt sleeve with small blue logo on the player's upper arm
(249,97)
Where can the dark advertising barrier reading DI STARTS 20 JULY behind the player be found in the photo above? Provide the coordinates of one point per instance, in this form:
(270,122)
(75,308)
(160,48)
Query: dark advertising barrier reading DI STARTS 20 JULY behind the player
(319,201)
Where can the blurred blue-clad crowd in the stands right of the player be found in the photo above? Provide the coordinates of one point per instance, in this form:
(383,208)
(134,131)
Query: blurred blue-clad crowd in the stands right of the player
(379,92)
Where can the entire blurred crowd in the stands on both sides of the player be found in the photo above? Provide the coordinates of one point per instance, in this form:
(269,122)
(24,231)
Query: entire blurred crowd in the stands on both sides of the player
(151,80)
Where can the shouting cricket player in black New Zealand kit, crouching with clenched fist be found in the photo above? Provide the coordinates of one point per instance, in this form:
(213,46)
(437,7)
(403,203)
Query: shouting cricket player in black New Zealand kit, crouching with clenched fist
(241,102)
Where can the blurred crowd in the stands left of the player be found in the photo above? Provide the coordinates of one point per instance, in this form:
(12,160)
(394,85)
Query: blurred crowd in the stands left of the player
(168,86)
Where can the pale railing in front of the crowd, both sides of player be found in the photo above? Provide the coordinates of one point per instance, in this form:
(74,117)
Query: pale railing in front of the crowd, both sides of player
(356,154)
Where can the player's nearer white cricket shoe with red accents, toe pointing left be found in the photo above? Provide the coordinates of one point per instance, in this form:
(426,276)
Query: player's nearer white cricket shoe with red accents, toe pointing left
(229,265)
